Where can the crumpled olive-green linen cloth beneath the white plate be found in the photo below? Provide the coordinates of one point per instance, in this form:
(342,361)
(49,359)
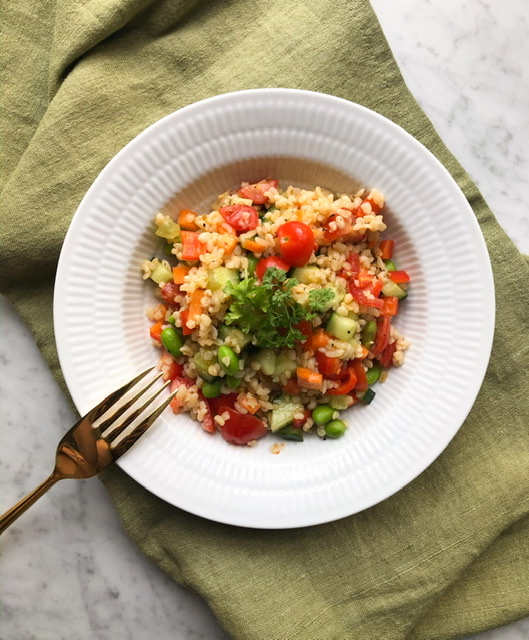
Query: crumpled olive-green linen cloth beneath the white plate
(446,556)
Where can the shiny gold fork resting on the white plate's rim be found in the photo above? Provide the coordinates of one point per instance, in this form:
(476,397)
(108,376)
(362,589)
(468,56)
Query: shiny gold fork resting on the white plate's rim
(98,439)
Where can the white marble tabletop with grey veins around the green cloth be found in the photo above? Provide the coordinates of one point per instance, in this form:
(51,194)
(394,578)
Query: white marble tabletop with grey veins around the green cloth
(68,570)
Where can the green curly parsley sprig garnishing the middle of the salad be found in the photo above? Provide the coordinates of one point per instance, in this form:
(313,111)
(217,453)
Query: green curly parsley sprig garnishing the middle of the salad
(269,312)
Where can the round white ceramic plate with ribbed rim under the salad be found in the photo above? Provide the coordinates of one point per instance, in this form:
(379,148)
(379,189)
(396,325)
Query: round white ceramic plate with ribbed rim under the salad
(307,139)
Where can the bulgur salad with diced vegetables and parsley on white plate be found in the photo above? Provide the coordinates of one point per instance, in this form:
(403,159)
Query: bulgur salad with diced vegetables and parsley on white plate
(276,309)
